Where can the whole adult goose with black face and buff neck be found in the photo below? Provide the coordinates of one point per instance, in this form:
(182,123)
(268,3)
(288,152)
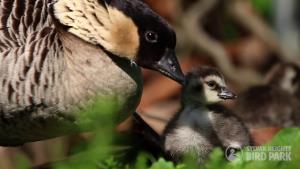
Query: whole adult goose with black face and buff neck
(57,54)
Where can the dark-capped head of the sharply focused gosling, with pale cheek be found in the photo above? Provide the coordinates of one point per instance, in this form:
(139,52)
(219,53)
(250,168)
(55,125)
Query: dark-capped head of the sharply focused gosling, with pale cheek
(206,85)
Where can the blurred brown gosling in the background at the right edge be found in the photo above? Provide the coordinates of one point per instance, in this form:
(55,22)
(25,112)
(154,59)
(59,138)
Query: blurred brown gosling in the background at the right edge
(274,104)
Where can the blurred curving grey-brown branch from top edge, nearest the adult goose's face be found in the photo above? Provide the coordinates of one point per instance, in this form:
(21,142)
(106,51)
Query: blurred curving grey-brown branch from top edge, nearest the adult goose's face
(217,52)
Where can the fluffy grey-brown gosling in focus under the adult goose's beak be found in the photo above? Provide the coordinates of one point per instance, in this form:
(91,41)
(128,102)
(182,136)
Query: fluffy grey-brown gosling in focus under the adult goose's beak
(202,124)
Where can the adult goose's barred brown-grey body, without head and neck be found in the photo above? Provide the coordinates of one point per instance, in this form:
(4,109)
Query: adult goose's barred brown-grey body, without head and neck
(46,71)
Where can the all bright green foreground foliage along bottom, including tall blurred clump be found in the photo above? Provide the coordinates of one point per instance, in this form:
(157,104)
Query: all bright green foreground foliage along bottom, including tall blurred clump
(101,153)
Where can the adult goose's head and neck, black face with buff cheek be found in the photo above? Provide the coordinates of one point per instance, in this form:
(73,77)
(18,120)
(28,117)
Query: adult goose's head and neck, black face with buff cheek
(125,28)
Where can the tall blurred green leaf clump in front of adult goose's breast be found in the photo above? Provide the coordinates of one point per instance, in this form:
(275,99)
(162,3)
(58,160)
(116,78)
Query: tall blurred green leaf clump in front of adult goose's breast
(99,148)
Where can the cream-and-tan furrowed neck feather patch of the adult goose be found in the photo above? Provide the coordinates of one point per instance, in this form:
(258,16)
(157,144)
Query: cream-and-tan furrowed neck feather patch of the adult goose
(106,25)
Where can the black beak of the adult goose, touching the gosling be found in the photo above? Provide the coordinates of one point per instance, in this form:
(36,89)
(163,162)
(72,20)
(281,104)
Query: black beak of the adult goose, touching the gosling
(169,66)
